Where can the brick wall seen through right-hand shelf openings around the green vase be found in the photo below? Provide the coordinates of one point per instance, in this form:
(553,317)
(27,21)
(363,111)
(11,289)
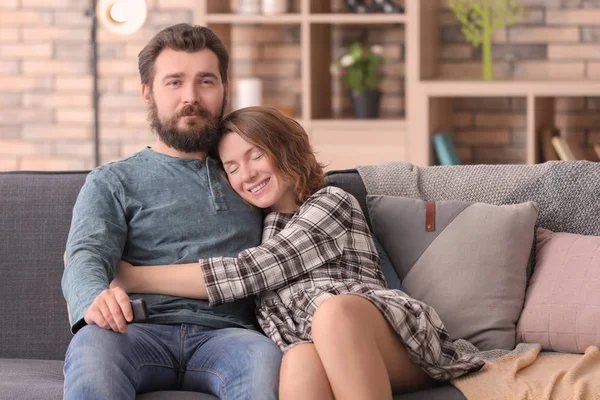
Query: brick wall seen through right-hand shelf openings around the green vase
(556,39)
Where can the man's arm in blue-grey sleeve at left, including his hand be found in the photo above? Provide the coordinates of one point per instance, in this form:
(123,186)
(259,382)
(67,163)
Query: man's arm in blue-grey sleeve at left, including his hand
(95,244)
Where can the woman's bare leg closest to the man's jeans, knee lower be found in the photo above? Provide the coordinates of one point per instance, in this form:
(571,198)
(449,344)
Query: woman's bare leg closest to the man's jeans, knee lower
(302,375)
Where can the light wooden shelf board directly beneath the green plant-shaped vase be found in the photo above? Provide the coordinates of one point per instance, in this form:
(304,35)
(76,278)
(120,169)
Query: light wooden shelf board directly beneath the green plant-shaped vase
(510,88)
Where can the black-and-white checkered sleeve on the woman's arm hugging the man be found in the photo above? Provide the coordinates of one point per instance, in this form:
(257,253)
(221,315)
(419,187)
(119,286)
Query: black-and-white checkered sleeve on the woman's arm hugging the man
(312,238)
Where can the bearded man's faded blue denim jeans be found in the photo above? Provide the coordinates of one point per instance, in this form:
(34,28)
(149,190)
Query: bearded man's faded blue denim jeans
(231,363)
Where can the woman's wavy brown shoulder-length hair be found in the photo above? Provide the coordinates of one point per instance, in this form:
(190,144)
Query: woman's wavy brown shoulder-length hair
(284,141)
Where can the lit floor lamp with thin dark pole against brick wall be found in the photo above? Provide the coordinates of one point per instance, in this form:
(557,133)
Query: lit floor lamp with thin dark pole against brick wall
(122,17)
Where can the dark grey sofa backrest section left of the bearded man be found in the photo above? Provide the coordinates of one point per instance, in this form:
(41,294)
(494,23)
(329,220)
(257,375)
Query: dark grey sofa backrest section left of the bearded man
(35,216)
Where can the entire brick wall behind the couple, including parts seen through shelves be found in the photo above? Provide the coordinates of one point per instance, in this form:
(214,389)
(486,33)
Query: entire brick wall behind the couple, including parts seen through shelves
(45,81)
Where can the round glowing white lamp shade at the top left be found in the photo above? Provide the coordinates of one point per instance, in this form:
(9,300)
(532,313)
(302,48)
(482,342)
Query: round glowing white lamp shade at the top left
(122,17)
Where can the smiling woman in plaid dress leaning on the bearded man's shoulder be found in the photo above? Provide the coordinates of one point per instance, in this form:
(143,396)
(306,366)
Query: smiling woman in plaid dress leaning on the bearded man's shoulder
(322,297)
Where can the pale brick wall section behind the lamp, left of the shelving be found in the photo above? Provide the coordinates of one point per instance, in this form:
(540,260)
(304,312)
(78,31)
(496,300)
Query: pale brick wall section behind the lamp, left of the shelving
(46,109)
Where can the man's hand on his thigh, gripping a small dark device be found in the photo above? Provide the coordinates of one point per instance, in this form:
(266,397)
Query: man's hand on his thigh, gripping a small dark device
(111,309)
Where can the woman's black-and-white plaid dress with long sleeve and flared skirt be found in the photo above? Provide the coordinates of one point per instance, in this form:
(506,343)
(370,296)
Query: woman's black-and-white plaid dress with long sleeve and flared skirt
(323,250)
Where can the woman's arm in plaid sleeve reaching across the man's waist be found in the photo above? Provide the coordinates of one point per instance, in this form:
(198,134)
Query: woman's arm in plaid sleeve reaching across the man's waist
(316,238)
